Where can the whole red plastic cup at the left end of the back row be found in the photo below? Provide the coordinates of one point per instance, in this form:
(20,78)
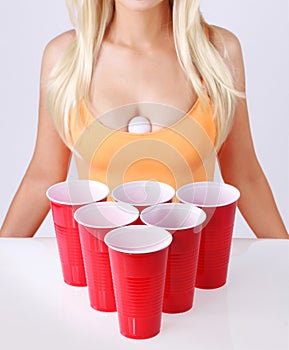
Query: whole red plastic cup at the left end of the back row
(65,198)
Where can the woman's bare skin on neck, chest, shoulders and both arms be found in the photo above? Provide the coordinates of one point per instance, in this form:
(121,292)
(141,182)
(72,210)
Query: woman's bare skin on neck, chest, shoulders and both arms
(147,70)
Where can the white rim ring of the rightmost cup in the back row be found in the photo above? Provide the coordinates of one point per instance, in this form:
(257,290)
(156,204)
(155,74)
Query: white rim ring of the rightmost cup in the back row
(209,184)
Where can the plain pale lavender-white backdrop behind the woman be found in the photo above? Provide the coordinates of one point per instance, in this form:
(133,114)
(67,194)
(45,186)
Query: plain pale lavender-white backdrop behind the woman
(262,27)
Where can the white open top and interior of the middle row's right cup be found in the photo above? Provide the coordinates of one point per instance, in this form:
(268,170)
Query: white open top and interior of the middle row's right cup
(173,216)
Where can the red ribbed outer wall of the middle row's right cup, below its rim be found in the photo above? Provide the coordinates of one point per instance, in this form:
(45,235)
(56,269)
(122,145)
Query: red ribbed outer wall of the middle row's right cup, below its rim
(181,271)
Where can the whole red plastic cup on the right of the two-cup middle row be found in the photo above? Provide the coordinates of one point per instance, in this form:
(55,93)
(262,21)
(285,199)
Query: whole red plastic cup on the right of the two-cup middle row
(184,221)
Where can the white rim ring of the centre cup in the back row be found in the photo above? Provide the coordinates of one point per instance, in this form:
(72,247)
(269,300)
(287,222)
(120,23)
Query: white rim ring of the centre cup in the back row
(163,185)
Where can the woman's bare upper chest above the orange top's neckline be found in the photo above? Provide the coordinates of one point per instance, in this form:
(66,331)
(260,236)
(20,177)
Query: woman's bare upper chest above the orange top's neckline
(152,84)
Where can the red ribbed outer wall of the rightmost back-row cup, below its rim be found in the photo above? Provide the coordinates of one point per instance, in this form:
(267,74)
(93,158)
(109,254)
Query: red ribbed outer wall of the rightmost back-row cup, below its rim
(215,248)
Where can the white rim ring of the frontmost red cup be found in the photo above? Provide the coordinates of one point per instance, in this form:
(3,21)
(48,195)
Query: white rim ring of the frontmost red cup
(165,239)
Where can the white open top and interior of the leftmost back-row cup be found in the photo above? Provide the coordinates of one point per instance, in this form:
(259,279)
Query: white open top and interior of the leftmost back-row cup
(77,192)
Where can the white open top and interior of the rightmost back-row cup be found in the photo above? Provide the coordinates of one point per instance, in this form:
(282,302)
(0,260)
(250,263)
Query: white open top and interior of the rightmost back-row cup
(208,194)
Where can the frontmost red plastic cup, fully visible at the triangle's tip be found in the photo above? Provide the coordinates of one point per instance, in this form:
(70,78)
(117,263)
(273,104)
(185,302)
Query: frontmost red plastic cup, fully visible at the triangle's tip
(138,256)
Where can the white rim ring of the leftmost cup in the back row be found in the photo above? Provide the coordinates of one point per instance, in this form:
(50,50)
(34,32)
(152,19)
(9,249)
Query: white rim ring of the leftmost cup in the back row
(103,187)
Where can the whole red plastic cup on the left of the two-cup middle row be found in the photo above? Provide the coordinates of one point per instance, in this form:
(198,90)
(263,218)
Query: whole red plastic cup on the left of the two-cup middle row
(94,222)
